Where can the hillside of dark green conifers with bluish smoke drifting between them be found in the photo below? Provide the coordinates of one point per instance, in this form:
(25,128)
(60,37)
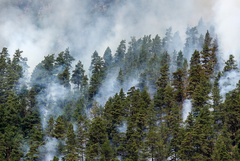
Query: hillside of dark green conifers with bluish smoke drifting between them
(148,100)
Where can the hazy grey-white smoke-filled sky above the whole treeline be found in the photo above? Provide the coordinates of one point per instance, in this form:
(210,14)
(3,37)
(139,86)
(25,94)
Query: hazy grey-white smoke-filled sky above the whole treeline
(45,27)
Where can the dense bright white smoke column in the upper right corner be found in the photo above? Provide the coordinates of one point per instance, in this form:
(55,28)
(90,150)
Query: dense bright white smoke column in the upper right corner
(226,17)
